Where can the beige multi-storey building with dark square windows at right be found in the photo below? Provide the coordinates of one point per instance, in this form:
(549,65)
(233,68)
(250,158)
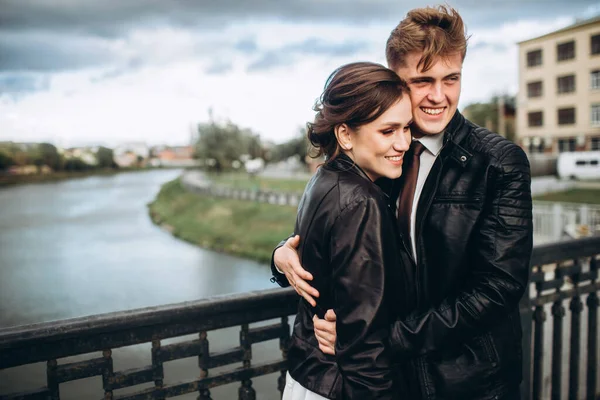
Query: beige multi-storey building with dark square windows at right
(558,105)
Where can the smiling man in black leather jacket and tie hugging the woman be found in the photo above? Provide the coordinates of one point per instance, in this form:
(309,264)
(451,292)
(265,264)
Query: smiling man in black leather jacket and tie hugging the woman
(465,209)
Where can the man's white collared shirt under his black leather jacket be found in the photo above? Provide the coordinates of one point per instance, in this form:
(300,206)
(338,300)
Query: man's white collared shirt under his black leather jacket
(433,144)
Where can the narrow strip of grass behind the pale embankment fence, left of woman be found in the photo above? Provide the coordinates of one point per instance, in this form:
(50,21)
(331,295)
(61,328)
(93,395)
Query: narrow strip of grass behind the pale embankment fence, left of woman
(245,181)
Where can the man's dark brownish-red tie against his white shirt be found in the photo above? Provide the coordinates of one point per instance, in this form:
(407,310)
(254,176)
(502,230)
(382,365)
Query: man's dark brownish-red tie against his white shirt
(410,170)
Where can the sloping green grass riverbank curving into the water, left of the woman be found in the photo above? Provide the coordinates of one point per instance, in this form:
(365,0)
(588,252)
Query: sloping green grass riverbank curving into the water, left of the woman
(243,228)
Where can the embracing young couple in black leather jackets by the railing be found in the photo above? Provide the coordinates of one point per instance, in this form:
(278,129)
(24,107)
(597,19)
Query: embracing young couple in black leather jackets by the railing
(412,243)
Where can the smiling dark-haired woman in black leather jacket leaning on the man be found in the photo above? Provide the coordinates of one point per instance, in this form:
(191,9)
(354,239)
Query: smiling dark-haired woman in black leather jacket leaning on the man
(350,239)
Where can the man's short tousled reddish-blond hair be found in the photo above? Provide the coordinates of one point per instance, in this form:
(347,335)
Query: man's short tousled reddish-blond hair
(433,31)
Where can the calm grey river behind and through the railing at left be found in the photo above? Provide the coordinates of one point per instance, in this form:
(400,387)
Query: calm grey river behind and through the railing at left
(87,246)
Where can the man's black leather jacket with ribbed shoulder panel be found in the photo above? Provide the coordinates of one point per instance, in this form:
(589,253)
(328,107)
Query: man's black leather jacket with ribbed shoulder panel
(473,241)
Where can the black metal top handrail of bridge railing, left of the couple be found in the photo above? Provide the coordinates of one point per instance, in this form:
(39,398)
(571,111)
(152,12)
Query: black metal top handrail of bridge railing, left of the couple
(211,313)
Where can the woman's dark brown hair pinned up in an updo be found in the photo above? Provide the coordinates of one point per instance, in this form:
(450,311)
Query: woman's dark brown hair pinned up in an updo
(355,94)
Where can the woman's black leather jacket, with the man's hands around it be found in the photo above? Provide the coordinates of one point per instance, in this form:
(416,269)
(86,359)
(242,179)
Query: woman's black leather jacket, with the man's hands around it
(350,245)
